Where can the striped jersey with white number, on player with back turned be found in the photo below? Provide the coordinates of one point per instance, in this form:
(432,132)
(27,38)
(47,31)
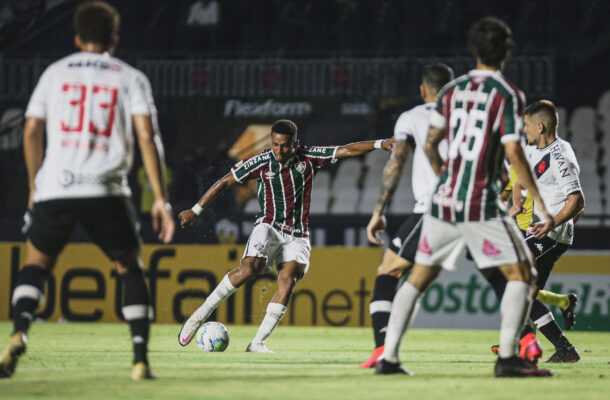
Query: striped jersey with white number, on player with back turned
(480,111)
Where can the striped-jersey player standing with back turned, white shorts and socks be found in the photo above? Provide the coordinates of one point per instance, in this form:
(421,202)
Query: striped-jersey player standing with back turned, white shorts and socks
(479,114)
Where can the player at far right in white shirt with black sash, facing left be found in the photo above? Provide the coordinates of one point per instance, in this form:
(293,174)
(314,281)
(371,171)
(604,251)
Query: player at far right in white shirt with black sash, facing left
(556,168)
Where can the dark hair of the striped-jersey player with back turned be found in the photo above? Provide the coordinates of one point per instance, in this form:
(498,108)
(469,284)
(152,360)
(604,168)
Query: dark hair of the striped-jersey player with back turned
(491,41)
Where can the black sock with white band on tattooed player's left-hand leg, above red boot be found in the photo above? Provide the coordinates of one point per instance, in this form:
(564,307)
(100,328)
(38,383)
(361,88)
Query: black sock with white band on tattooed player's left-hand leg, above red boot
(381,305)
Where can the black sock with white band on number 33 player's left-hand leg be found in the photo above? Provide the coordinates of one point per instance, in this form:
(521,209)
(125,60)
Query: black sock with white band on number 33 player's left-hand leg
(28,295)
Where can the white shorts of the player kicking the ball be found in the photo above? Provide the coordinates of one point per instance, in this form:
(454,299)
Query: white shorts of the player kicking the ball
(277,247)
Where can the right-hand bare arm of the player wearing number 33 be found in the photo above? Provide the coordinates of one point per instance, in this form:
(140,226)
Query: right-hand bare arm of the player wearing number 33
(162,219)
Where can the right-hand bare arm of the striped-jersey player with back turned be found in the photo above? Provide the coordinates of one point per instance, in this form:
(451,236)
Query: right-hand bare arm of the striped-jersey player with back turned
(514,153)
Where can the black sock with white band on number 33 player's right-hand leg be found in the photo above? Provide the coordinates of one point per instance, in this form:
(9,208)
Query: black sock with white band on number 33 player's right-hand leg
(136,312)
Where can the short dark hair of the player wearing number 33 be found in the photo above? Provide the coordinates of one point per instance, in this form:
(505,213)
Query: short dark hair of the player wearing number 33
(97,22)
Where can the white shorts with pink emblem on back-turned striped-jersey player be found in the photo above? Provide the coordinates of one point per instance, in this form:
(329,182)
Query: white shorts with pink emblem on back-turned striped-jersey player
(491,243)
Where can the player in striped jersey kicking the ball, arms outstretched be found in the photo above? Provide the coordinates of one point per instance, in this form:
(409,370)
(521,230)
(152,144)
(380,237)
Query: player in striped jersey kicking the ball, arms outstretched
(280,236)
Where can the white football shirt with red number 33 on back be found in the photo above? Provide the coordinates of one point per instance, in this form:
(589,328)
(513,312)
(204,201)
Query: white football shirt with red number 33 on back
(87,101)
